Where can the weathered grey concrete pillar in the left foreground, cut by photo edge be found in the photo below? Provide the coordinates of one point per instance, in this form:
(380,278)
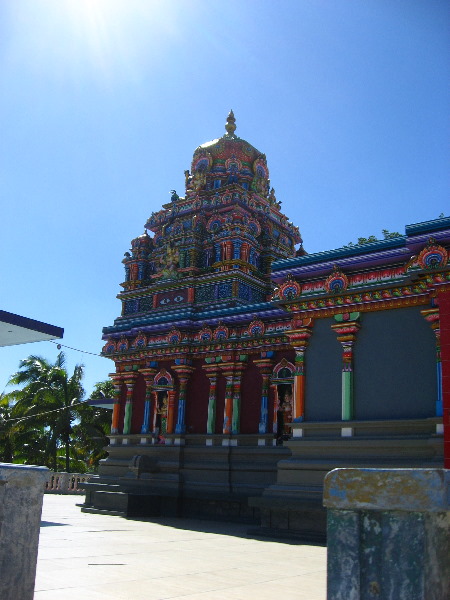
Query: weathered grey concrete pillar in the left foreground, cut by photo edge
(21,493)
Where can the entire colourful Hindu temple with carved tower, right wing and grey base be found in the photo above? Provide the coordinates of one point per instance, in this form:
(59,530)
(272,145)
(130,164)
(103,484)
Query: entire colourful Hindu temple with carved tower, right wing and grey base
(246,369)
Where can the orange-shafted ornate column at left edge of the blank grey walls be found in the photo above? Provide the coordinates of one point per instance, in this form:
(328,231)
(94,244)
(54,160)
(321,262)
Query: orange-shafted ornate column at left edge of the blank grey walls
(299,339)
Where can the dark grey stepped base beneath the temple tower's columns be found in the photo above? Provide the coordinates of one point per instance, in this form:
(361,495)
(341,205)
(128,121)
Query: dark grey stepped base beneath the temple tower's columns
(185,480)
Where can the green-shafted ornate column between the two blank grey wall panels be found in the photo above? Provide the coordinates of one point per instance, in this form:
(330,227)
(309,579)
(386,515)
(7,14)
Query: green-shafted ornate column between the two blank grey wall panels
(347,327)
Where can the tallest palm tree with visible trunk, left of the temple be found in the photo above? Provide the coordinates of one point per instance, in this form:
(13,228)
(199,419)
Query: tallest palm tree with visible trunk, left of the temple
(52,398)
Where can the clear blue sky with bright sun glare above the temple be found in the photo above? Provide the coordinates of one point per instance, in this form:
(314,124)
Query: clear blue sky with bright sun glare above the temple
(102,103)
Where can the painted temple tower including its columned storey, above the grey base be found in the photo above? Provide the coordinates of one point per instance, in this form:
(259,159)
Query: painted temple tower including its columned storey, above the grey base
(195,291)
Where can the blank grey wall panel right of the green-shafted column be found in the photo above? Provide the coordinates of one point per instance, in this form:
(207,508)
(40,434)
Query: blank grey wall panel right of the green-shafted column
(395,366)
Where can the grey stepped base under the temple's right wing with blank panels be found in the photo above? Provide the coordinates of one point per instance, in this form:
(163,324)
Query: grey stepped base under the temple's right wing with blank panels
(294,502)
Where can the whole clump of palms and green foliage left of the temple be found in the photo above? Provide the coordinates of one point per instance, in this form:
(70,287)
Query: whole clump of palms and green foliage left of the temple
(46,420)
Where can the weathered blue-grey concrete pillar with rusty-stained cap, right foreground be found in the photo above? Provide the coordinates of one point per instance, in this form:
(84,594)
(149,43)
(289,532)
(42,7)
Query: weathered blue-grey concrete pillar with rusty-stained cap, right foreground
(388,534)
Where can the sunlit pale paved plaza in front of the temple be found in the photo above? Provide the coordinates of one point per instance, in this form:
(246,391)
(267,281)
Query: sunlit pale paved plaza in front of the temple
(99,557)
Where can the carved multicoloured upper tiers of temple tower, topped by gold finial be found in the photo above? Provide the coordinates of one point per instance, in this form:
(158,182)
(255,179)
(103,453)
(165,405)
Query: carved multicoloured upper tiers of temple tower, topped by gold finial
(215,245)
